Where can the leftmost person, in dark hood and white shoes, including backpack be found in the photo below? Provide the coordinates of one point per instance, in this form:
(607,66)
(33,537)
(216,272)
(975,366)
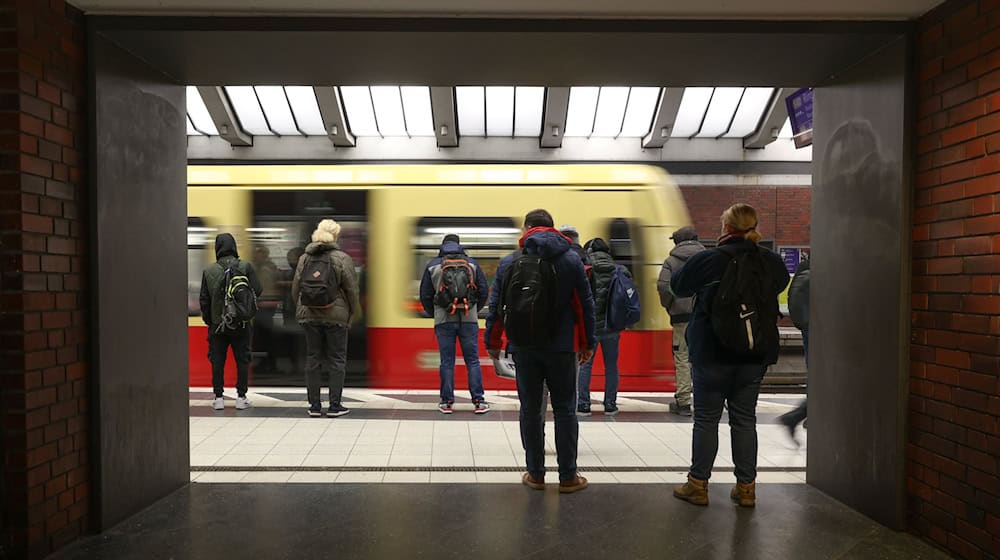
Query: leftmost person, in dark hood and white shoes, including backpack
(229,292)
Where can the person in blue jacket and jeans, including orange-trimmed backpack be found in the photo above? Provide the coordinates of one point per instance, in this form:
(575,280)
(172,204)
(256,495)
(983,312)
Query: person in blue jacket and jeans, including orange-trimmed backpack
(453,290)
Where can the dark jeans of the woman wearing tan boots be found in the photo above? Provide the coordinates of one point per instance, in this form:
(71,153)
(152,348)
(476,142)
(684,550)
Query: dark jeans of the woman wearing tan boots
(737,386)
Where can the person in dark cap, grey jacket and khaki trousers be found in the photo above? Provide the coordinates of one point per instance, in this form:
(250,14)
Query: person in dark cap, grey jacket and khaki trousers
(686,245)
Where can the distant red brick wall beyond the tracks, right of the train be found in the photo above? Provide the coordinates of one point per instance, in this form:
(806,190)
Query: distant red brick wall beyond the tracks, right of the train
(783,211)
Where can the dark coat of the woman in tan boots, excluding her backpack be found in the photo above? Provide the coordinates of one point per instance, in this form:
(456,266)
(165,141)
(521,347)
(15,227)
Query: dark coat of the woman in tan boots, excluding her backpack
(701,276)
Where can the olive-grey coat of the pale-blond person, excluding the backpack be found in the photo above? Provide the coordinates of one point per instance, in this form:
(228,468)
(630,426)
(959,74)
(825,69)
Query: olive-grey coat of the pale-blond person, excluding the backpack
(347,306)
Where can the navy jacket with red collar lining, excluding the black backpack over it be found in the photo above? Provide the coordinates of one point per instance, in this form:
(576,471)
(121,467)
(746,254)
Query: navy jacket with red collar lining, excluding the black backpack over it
(575,323)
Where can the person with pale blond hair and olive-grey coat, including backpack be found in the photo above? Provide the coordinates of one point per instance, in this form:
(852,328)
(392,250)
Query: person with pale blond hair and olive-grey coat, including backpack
(325,291)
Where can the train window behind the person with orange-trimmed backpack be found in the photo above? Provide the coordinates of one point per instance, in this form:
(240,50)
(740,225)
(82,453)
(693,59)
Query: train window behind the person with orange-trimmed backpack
(487,240)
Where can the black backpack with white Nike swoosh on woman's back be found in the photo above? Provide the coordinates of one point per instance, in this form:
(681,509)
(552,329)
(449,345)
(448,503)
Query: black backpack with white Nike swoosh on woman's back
(744,312)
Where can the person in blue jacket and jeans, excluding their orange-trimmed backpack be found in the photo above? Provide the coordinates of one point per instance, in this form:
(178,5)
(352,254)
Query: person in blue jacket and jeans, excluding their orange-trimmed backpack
(450,325)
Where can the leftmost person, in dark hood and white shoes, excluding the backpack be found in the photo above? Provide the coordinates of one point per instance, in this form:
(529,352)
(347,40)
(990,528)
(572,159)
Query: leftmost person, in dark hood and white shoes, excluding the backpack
(222,335)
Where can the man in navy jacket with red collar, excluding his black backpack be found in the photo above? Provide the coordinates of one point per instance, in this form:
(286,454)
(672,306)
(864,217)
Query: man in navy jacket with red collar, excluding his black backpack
(554,362)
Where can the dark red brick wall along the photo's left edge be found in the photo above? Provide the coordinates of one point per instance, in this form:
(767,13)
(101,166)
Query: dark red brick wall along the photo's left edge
(43,372)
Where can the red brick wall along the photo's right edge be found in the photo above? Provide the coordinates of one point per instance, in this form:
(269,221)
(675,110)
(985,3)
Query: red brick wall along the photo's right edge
(954,449)
